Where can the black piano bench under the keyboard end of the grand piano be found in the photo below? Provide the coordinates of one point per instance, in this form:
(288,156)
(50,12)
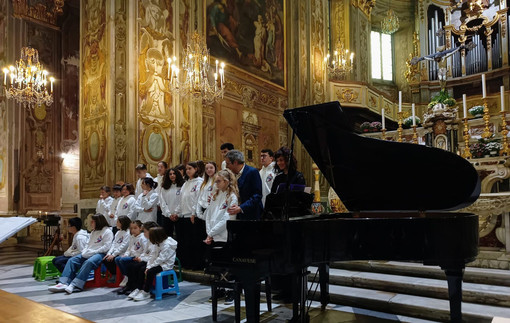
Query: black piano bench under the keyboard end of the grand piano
(220,281)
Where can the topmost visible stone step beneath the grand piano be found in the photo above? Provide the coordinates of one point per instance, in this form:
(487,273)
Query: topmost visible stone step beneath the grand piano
(487,276)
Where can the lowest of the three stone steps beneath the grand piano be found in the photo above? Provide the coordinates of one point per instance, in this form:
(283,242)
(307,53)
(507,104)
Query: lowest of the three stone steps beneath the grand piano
(411,305)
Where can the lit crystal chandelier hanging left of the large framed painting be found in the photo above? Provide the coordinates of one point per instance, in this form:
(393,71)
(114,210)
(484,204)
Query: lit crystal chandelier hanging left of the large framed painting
(198,79)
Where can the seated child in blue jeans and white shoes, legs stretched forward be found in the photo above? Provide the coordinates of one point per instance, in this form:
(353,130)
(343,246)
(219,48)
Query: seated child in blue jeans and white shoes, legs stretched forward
(77,269)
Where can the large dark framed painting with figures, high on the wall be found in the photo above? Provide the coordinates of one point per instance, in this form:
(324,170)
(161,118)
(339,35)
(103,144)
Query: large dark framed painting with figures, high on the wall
(249,35)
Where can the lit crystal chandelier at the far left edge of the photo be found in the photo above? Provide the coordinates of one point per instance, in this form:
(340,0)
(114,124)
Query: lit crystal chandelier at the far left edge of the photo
(26,82)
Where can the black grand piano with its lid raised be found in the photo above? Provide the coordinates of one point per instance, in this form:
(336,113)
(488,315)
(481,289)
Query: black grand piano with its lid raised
(398,194)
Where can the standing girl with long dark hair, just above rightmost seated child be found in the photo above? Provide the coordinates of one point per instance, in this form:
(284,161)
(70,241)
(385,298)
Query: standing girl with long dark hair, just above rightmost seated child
(170,198)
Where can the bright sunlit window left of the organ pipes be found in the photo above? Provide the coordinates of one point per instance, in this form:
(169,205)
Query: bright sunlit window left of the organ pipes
(382,61)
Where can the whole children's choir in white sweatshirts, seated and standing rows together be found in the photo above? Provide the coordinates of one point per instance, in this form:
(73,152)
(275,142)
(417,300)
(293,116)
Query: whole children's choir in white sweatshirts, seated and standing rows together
(134,230)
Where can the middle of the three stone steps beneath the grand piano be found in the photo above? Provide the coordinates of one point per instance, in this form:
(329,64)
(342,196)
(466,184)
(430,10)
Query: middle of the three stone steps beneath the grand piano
(418,286)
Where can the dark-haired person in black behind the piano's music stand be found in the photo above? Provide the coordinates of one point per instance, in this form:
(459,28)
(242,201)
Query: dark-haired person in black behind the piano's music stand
(286,166)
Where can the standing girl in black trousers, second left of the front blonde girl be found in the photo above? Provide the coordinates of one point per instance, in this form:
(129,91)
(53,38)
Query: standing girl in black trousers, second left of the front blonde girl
(186,212)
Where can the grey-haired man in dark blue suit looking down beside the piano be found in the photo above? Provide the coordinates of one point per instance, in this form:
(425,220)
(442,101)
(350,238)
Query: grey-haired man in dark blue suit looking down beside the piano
(250,187)
